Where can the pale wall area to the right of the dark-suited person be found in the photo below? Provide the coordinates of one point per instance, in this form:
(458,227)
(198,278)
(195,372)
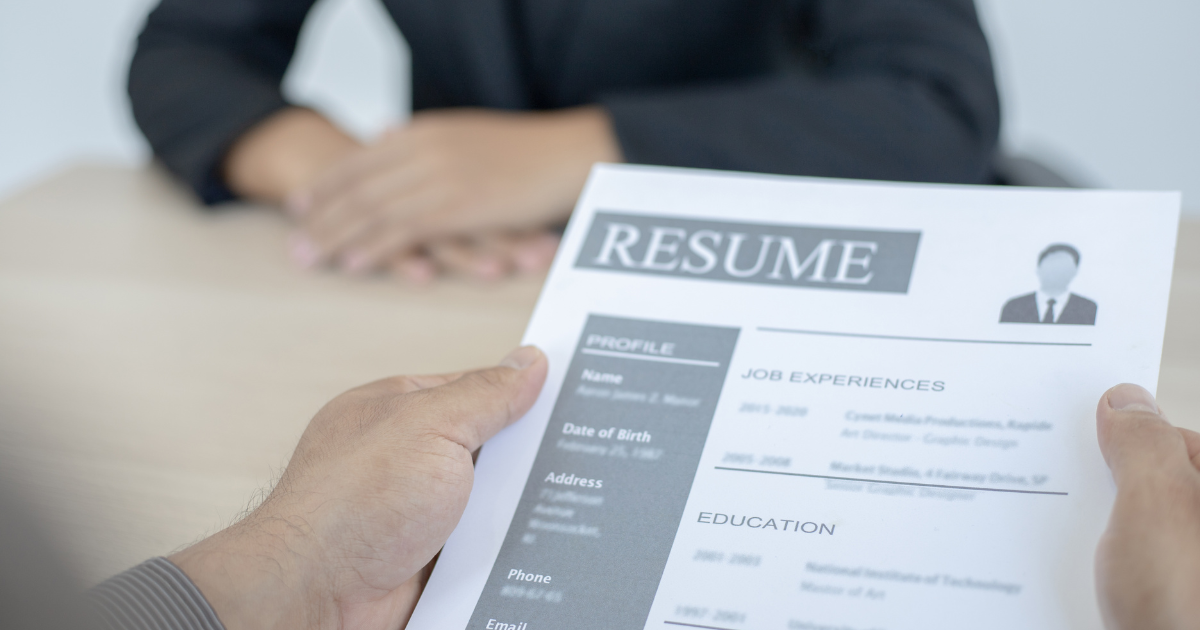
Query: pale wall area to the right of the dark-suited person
(1108,89)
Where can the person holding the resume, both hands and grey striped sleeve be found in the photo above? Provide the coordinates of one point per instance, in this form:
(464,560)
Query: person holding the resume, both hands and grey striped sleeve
(382,476)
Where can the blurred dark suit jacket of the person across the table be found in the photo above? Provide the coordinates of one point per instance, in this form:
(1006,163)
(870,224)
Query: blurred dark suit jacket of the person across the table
(879,89)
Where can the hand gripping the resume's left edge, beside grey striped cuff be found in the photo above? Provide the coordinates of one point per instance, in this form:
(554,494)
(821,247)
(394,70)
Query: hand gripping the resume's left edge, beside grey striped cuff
(375,488)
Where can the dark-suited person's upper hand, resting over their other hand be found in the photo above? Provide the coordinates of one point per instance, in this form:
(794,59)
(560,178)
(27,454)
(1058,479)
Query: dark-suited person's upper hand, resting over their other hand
(447,175)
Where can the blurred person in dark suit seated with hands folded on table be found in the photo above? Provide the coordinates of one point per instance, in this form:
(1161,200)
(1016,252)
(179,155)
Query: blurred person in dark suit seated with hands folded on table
(514,101)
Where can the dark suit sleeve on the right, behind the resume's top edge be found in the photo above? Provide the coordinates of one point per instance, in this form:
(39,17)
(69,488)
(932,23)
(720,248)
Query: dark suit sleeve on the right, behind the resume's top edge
(898,91)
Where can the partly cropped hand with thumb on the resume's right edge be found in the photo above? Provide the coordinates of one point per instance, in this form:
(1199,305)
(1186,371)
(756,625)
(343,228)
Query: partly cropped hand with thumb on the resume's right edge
(1148,565)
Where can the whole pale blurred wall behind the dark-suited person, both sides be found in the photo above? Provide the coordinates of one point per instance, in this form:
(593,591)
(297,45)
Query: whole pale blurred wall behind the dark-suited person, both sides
(1105,92)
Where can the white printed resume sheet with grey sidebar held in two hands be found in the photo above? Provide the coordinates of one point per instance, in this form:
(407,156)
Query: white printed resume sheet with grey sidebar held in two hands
(784,404)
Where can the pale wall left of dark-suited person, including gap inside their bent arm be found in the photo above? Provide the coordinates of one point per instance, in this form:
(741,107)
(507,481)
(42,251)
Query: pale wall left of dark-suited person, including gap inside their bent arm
(63,68)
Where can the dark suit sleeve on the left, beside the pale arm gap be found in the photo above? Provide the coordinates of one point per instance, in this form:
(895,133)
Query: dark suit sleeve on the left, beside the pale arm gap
(203,74)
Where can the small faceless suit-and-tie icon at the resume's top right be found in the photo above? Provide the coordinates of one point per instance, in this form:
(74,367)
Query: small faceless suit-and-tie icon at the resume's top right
(1053,304)
